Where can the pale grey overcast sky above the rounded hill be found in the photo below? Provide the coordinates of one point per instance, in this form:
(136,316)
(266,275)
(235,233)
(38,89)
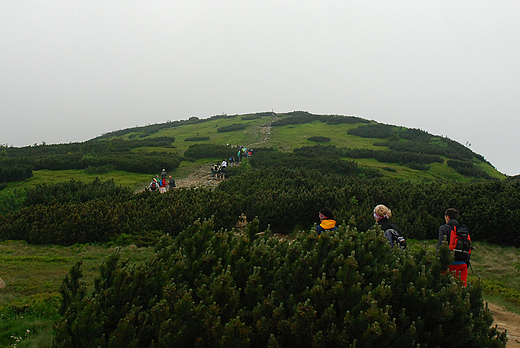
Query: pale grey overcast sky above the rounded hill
(73,70)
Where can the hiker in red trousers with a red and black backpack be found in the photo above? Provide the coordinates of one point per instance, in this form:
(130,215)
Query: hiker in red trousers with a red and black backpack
(459,241)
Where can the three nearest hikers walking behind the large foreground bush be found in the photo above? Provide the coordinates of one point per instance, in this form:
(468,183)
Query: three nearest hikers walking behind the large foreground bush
(452,232)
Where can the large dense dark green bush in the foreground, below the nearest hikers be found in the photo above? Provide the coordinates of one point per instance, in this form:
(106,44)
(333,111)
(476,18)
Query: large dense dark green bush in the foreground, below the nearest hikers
(213,288)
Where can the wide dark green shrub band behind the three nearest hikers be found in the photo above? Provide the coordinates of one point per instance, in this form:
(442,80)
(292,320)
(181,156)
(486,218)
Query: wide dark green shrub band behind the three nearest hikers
(289,198)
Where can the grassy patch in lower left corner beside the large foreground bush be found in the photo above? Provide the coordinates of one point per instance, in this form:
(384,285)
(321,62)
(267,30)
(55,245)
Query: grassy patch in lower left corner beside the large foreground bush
(33,274)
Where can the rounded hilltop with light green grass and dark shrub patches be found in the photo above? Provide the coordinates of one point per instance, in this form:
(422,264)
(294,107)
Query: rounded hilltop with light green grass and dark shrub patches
(396,152)
